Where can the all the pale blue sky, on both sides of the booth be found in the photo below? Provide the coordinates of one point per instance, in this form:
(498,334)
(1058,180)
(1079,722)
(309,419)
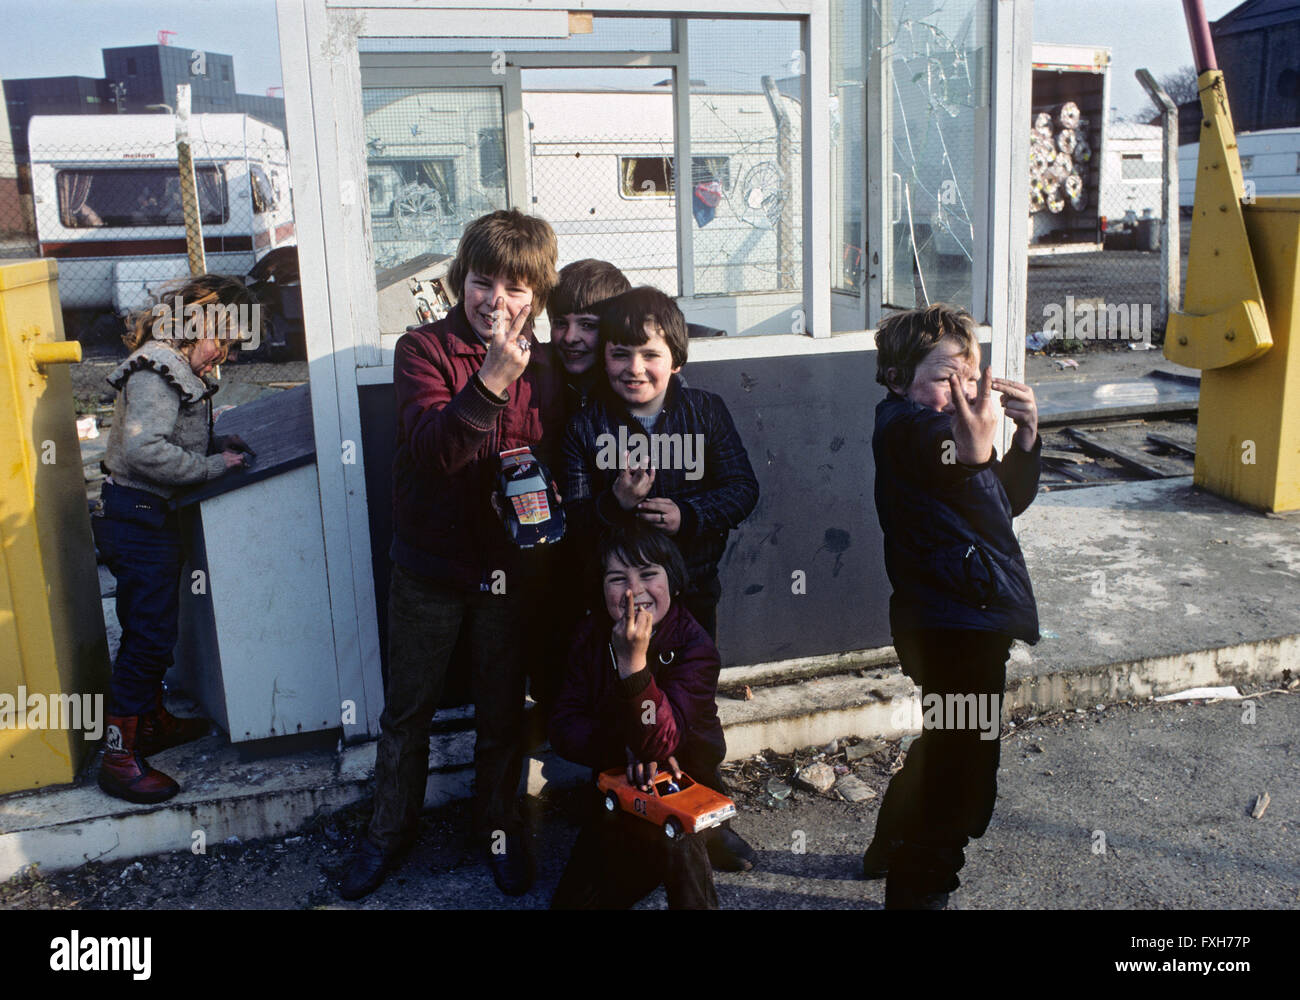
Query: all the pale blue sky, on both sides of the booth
(47,38)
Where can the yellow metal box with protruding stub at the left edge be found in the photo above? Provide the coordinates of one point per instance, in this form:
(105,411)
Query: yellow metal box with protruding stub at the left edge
(54,657)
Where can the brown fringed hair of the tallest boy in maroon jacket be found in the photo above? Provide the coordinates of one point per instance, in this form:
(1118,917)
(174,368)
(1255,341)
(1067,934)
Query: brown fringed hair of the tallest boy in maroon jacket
(510,244)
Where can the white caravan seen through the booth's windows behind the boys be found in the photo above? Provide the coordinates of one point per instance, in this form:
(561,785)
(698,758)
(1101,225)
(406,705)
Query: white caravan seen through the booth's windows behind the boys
(600,170)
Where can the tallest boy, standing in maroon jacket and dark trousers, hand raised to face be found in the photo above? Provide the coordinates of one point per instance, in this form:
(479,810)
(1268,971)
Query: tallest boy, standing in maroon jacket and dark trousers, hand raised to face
(469,388)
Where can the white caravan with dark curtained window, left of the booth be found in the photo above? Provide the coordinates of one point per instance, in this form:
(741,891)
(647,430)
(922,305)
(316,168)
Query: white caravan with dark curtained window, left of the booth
(107,196)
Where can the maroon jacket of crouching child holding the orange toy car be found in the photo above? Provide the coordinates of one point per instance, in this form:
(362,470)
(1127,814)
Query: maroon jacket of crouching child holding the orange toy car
(600,715)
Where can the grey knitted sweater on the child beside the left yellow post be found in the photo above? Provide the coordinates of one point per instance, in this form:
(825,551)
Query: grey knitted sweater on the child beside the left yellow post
(162,423)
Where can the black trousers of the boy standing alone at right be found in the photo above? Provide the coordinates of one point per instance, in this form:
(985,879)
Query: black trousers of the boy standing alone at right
(946,793)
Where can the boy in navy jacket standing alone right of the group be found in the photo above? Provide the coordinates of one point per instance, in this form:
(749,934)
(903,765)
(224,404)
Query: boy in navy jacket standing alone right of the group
(961,591)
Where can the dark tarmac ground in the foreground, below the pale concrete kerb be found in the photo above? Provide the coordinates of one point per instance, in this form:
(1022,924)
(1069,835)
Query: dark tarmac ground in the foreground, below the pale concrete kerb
(1137,807)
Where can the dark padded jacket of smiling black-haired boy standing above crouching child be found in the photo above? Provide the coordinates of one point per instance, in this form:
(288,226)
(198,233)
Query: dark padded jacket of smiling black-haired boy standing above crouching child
(712,507)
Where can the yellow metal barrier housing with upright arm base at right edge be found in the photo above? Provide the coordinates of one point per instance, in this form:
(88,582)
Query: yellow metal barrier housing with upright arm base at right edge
(1238,324)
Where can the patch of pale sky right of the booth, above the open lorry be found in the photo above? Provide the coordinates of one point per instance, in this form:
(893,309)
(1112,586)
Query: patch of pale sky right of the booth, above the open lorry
(1142,34)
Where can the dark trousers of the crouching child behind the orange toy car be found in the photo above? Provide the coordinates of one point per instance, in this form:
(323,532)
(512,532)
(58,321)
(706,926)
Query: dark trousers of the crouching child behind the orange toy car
(619,860)
